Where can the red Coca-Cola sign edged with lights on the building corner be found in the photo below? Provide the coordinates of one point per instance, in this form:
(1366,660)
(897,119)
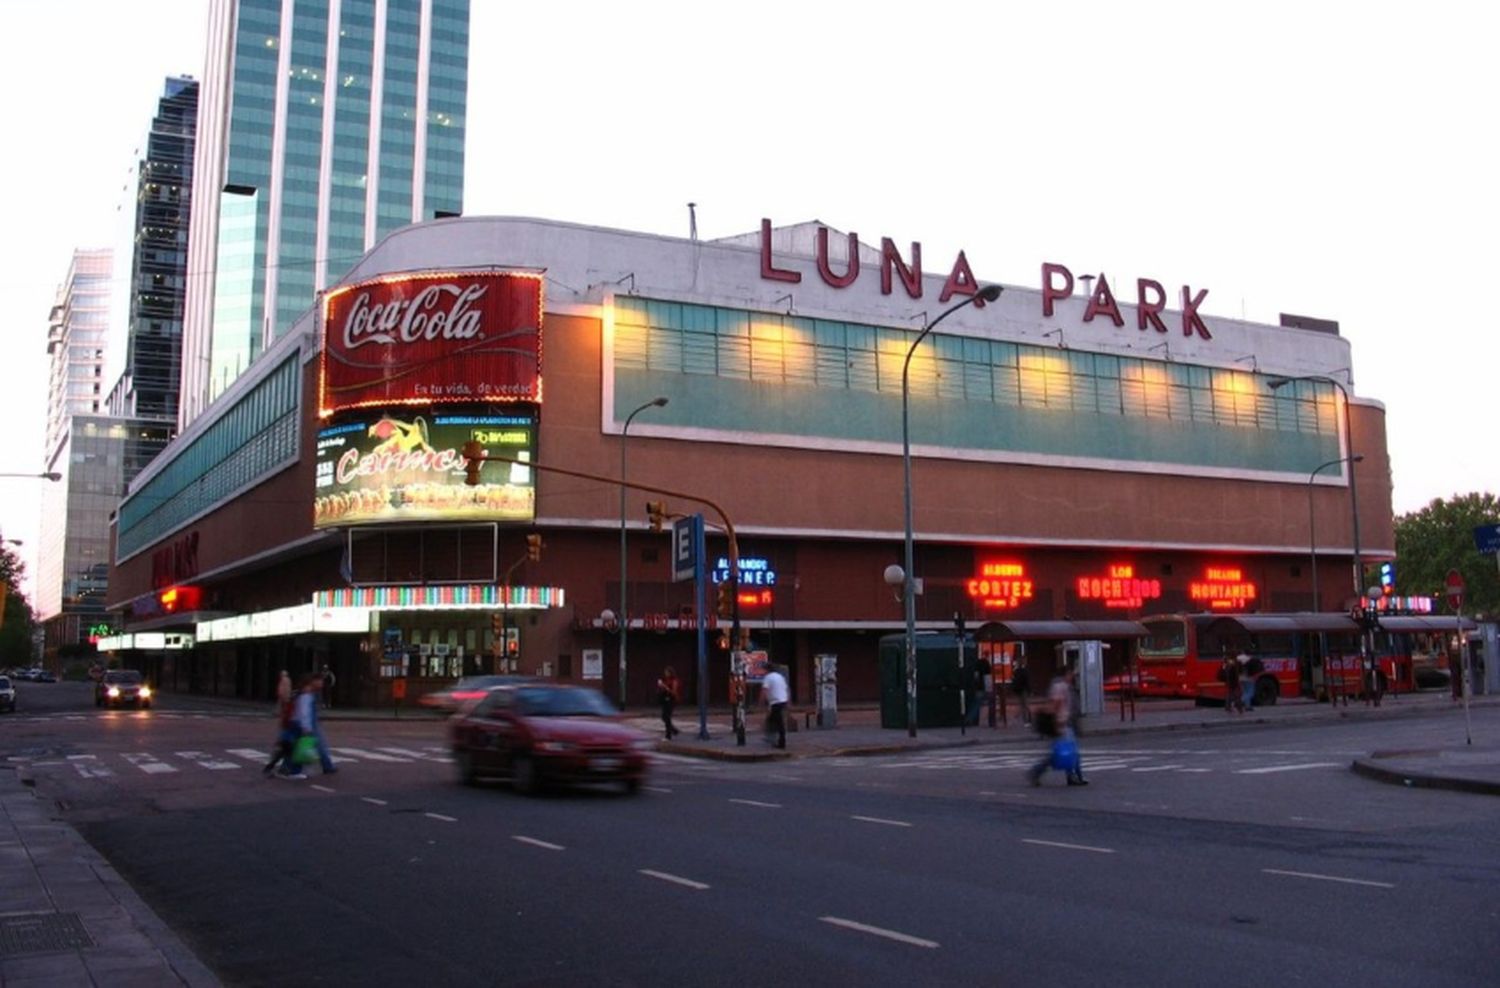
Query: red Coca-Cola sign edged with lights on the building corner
(433,340)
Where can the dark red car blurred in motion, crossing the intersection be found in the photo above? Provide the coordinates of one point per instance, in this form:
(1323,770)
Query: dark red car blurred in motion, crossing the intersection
(541,732)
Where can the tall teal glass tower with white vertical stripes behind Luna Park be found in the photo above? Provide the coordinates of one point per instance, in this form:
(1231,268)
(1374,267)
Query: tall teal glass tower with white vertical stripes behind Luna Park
(323,125)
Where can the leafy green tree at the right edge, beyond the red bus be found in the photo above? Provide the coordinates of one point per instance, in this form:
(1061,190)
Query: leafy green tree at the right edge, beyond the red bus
(1441,537)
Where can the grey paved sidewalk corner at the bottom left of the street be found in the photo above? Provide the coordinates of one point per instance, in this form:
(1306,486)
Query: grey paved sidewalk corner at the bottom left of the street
(67,917)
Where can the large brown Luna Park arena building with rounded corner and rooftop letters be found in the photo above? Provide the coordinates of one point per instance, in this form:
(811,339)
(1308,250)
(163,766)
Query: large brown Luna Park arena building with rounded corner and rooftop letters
(1075,457)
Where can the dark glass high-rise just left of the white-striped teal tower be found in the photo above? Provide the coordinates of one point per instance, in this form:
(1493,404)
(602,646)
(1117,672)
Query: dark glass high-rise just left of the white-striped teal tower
(160,265)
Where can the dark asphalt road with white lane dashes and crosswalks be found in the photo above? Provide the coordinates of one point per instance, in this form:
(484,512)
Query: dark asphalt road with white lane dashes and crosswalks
(1229,858)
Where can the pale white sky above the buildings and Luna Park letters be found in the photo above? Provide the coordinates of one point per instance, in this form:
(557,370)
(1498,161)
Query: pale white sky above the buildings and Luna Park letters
(1324,160)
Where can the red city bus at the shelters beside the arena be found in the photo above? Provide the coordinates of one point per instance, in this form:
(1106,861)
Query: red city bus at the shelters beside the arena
(1301,654)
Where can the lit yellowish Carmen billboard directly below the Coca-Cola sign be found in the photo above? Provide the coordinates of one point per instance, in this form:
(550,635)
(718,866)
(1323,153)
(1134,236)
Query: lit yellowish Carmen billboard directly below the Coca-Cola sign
(395,467)
